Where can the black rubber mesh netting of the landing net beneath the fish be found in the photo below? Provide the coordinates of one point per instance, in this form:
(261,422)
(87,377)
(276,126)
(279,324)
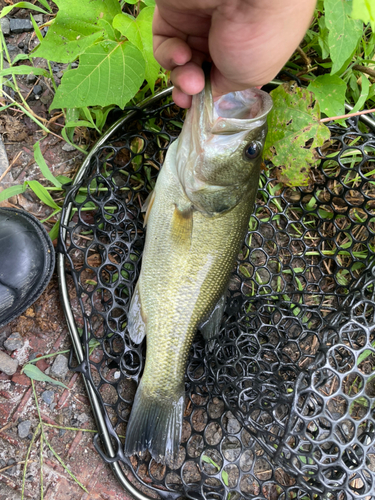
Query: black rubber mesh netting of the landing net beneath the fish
(280,405)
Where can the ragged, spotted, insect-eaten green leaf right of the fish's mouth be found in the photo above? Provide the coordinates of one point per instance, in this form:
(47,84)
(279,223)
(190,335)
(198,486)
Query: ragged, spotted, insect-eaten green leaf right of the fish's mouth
(292,123)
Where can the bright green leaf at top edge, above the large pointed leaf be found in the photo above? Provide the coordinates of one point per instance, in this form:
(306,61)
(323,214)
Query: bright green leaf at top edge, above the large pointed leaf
(76,28)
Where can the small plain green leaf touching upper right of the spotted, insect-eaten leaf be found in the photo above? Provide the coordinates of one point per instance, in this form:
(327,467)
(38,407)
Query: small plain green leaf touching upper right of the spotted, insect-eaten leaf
(329,91)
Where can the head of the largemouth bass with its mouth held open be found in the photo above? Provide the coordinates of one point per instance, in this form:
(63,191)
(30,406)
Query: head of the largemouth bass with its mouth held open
(220,147)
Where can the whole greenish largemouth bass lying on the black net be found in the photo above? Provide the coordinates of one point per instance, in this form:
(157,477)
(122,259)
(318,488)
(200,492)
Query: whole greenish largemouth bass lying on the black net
(196,219)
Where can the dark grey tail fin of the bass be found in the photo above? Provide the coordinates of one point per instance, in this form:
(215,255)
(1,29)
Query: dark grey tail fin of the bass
(155,424)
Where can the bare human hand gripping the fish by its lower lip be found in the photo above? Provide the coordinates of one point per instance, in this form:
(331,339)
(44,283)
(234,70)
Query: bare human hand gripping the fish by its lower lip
(247,41)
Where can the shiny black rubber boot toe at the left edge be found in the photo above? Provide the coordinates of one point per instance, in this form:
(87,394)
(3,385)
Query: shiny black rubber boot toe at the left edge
(27,260)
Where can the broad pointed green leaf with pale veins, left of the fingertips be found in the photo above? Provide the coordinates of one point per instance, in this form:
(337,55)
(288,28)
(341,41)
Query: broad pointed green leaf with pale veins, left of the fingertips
(108,73)
